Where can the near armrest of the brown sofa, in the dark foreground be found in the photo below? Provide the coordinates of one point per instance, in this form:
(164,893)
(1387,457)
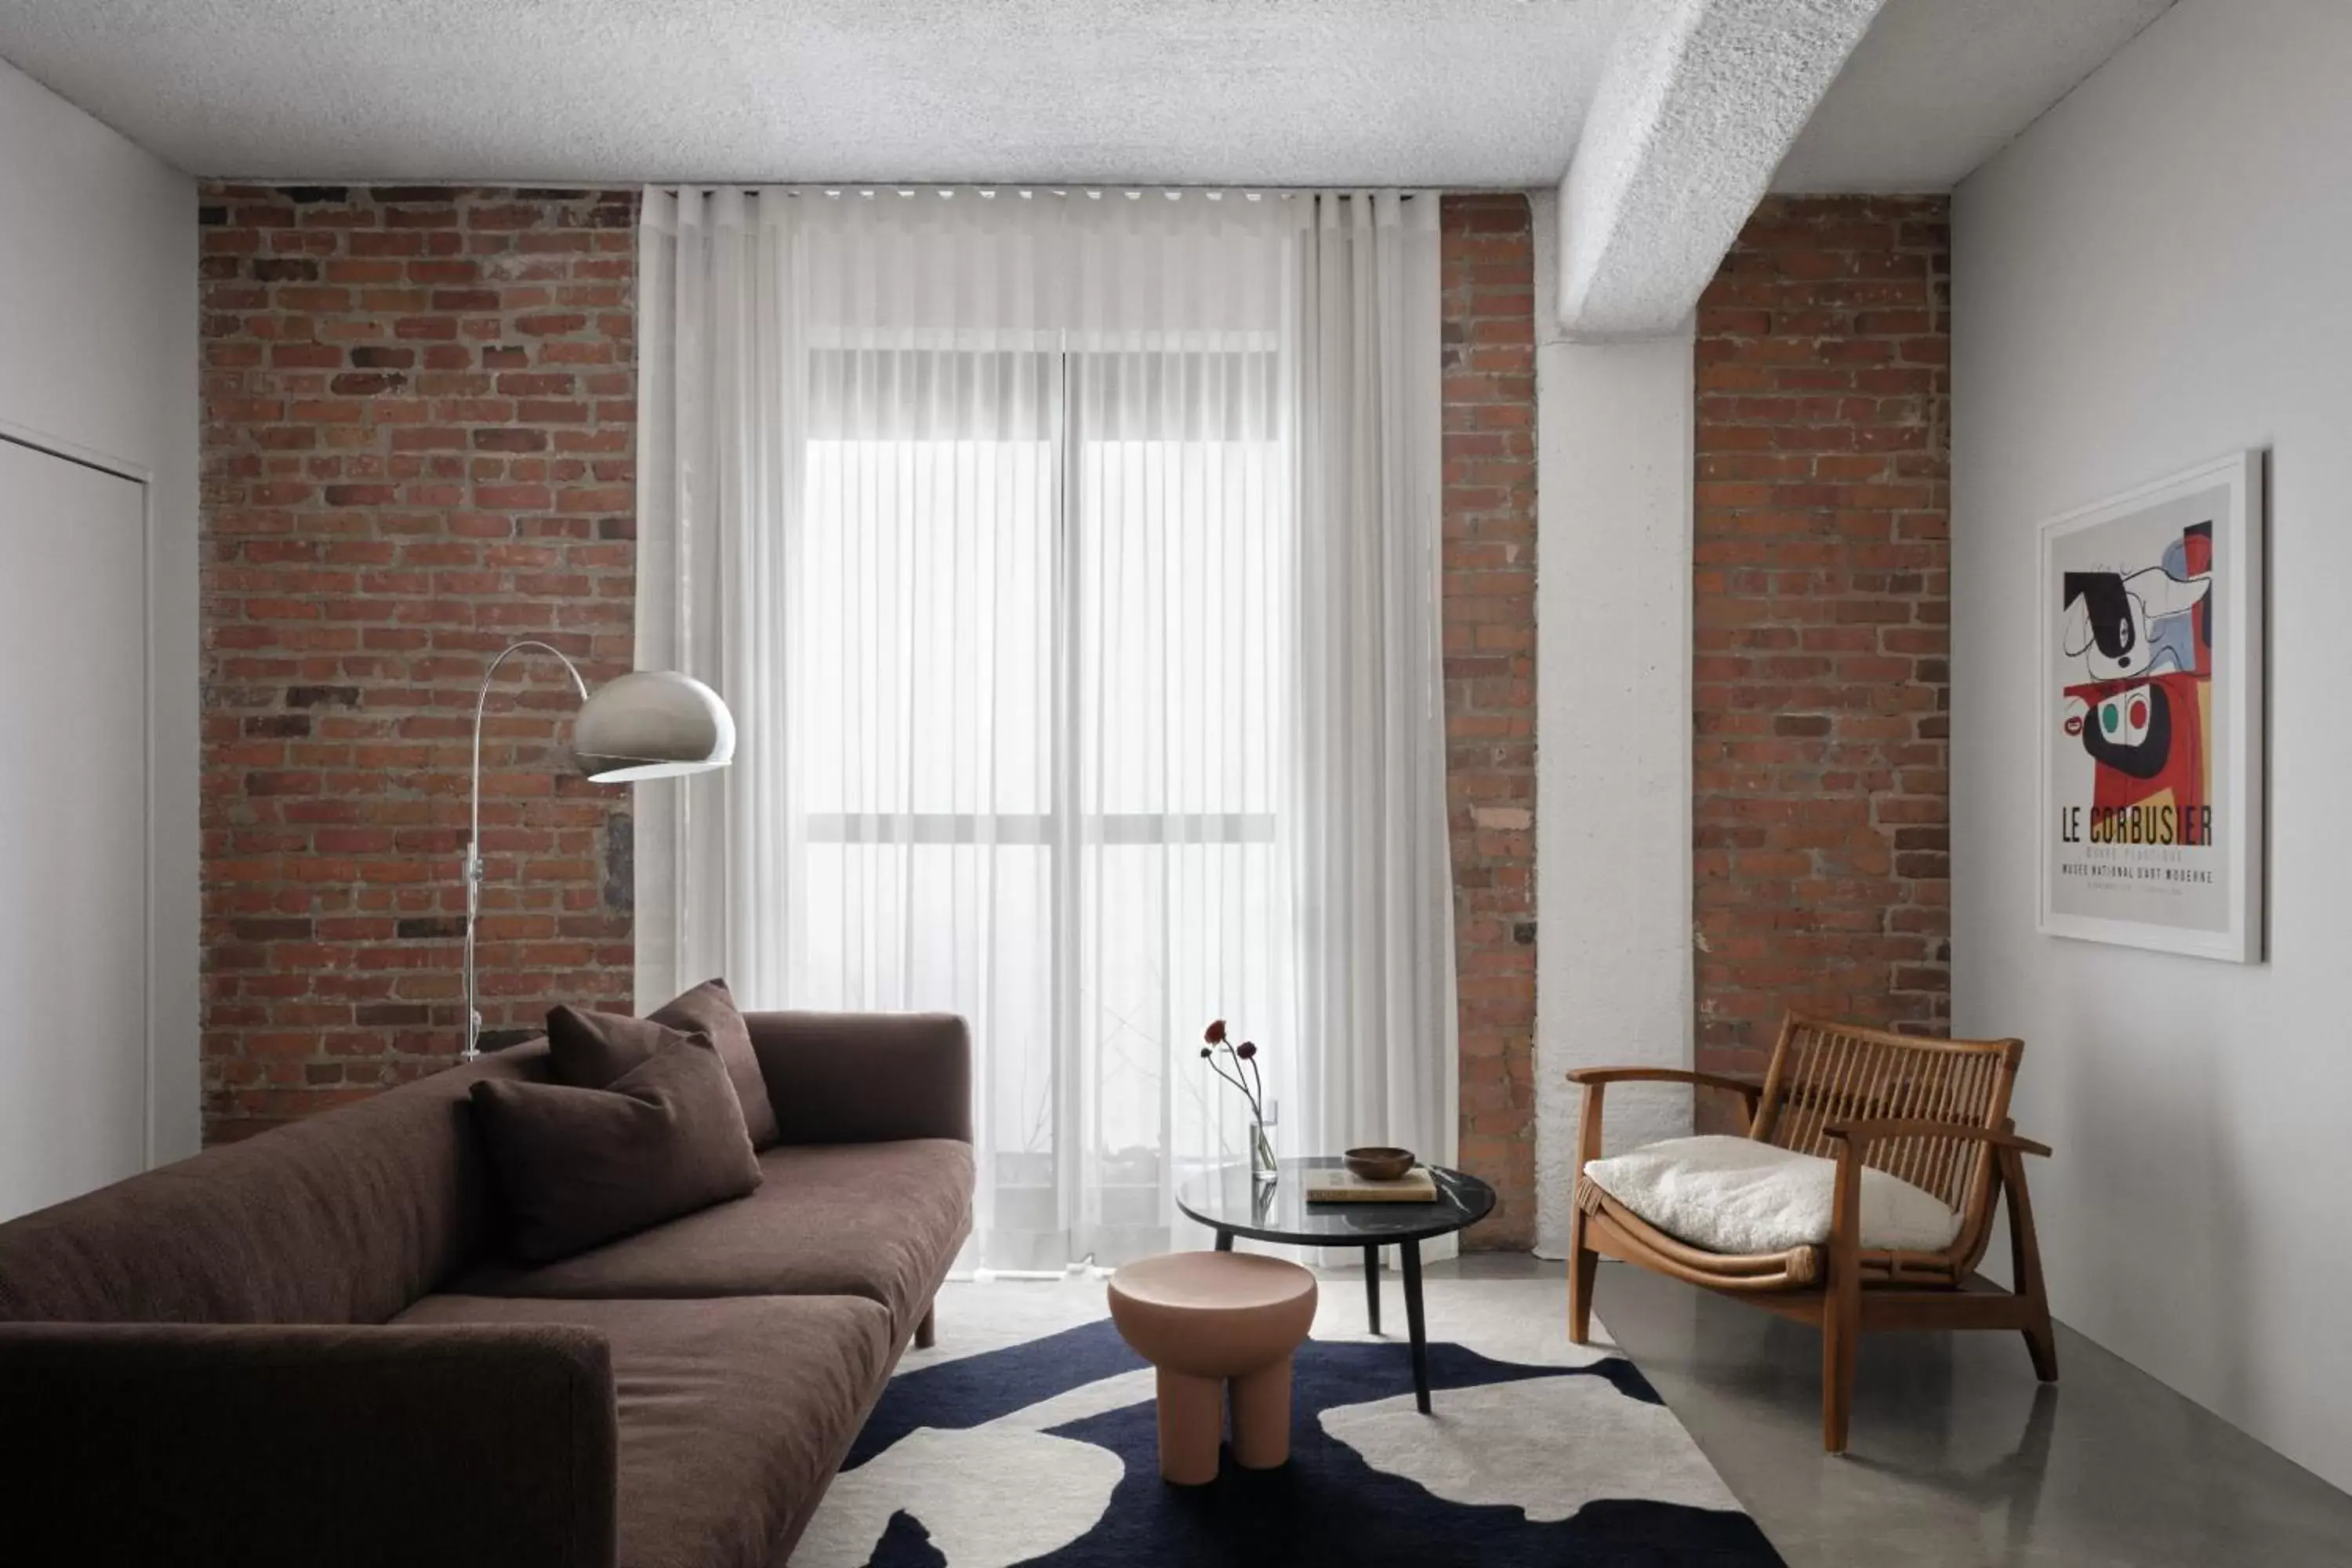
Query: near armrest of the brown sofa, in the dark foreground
(293,1447)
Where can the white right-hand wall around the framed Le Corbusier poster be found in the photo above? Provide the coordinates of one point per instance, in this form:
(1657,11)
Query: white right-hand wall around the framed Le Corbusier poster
(2146,279)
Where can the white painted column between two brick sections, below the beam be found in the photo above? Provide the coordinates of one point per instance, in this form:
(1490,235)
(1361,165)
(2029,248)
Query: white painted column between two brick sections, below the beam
(1615,725)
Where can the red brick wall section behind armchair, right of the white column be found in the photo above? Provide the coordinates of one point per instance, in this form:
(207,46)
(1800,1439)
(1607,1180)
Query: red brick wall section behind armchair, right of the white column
(1822,681)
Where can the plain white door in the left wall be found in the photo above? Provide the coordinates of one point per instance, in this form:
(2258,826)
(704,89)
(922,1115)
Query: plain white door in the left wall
(74,826)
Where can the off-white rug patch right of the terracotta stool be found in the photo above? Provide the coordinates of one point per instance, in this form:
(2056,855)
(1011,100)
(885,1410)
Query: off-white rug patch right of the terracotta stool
(1502,1445)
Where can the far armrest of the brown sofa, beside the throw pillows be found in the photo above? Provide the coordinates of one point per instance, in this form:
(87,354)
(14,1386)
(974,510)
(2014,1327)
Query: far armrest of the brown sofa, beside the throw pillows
(867,1078)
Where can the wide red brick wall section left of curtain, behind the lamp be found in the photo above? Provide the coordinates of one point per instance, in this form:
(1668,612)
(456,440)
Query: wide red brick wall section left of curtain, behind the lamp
(417,450)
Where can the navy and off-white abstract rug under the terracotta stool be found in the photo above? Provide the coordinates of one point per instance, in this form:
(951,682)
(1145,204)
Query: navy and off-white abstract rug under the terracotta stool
(1048,1454)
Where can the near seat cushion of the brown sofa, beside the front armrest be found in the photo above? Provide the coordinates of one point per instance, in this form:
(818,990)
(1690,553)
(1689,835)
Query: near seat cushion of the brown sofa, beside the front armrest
(735,1414)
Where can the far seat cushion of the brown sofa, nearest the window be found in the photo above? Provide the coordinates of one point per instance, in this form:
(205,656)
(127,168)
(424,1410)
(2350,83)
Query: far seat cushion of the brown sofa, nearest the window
(853,1219)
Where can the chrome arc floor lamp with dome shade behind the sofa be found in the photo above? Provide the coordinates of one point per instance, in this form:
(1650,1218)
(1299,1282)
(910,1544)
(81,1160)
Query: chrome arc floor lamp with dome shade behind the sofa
(646,725)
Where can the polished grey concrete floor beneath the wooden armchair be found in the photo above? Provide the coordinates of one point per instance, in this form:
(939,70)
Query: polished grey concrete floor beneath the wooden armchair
(1958,1454)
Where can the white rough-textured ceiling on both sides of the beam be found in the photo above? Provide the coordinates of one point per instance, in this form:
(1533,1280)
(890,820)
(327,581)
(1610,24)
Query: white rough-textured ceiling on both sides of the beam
(1271,93)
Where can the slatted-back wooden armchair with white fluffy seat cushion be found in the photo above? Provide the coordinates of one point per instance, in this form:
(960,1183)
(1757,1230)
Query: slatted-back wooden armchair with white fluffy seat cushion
(1927,1111)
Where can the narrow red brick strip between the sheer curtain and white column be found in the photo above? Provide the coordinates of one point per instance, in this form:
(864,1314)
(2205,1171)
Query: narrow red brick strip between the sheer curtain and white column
(1490,626)
